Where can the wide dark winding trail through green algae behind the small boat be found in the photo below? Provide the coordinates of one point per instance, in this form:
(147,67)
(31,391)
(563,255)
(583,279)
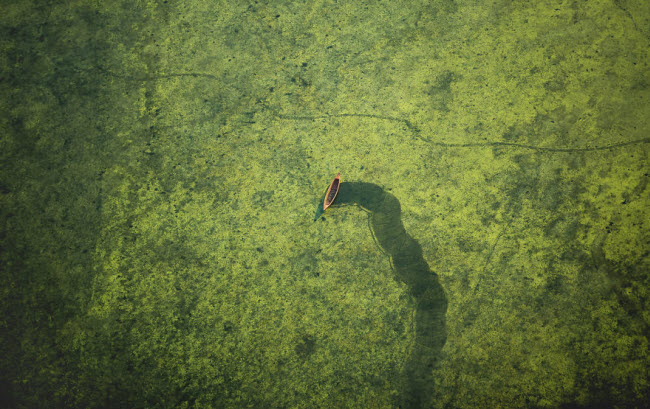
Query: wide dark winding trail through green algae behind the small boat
(410,268)
